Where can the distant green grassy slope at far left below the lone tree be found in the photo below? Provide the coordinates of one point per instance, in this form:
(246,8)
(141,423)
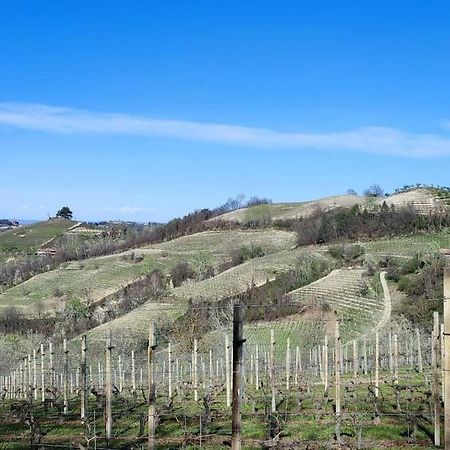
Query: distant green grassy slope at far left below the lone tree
(27,239)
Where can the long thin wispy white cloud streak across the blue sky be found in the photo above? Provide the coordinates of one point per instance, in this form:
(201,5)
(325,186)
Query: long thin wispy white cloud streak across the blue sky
(370,139)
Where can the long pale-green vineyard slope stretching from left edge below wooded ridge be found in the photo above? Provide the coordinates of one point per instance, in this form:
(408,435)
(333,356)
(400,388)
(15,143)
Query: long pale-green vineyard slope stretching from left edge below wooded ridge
(96,278)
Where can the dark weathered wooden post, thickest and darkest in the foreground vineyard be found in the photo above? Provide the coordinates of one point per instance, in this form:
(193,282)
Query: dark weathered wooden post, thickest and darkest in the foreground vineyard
(238,344)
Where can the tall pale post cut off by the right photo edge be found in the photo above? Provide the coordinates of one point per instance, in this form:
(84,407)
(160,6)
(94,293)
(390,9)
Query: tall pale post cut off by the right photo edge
(446,380)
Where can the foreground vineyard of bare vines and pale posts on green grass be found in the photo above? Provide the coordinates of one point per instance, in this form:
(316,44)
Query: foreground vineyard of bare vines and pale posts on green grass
(290,395)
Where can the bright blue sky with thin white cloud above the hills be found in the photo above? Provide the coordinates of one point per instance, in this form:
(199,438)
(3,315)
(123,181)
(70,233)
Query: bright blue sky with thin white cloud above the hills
(148,110)
